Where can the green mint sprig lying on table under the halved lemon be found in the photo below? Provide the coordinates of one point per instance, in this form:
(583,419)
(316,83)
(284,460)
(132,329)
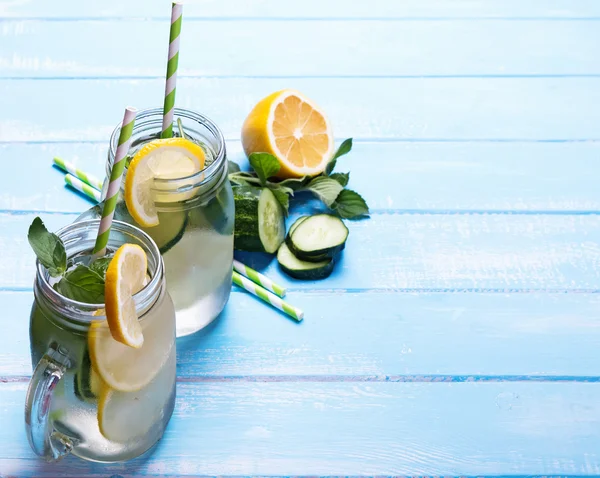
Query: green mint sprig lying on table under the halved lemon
(328,186)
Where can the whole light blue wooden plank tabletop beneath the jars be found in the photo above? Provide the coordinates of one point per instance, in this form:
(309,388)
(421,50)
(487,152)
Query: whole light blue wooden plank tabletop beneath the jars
(460,335)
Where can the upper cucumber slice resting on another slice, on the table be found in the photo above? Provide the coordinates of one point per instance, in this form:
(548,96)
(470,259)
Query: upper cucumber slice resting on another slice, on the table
(317,238)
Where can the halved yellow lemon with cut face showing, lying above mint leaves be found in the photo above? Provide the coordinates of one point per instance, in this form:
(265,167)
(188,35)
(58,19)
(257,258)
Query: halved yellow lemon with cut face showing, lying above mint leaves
(293,129)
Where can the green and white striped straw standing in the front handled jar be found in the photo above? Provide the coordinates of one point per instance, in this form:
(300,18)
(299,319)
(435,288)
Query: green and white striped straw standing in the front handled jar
(114,186)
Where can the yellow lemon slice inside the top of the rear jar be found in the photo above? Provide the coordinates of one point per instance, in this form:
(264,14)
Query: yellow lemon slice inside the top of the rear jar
(169,158)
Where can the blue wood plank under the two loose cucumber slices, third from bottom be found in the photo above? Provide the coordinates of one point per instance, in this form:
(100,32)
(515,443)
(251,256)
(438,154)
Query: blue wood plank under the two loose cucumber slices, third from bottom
(412,252)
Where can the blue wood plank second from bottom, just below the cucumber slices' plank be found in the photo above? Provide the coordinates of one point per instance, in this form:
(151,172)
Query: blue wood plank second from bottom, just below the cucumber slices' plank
(366,336)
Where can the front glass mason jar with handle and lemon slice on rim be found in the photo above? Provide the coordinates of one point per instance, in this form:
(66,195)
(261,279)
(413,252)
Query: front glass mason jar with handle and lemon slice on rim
(89,394)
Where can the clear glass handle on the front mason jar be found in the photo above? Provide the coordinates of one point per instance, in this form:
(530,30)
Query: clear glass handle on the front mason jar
(43,438)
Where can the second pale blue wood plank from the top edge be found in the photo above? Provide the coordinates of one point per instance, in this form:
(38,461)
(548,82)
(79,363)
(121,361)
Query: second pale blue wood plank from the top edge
(303,48)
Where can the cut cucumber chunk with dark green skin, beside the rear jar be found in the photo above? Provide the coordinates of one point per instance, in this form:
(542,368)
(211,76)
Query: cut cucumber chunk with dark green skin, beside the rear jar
(259,220)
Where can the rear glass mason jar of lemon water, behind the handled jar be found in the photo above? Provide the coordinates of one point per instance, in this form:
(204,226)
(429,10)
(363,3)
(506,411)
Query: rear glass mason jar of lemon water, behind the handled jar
(196,219)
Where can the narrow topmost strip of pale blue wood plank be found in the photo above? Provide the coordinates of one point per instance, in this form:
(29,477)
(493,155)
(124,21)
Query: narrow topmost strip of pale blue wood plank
(408,9)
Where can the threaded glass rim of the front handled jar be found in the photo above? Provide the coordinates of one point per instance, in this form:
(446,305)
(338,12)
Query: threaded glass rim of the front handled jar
(143,299)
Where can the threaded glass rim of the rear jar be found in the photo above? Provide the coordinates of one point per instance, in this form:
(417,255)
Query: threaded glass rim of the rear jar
(153,116)
